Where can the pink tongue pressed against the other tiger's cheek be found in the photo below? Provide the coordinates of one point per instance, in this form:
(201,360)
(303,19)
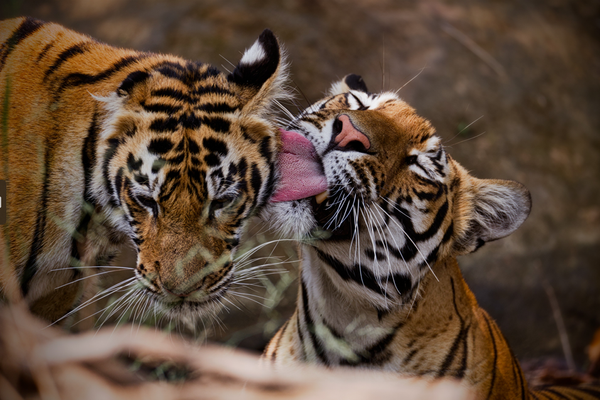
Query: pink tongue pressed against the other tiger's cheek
(301,173)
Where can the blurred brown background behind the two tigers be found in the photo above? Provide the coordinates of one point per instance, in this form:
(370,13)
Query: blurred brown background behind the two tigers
(513,88)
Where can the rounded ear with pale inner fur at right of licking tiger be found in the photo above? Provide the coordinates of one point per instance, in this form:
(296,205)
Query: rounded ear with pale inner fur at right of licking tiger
(488,209)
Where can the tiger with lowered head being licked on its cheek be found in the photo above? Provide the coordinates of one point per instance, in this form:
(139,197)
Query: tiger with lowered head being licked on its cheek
(104,146)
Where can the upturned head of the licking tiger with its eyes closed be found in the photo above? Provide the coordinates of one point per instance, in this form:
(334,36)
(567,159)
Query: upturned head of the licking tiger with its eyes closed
(396,202)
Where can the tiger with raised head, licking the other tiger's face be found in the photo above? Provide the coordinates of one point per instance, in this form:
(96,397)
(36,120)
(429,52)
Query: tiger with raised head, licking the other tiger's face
(380,287)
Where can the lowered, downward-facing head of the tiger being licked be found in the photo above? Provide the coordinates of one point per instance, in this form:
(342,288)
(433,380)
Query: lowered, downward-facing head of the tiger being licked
(186,154)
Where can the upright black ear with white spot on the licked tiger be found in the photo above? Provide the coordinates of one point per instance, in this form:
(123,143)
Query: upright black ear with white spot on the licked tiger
(261,74)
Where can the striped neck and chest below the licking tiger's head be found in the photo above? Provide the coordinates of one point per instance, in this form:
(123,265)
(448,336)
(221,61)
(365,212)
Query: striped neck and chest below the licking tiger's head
(442,333)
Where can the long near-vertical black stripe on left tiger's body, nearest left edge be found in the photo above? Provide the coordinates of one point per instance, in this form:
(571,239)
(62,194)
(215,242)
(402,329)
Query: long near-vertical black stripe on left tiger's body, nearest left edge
(37,243)
